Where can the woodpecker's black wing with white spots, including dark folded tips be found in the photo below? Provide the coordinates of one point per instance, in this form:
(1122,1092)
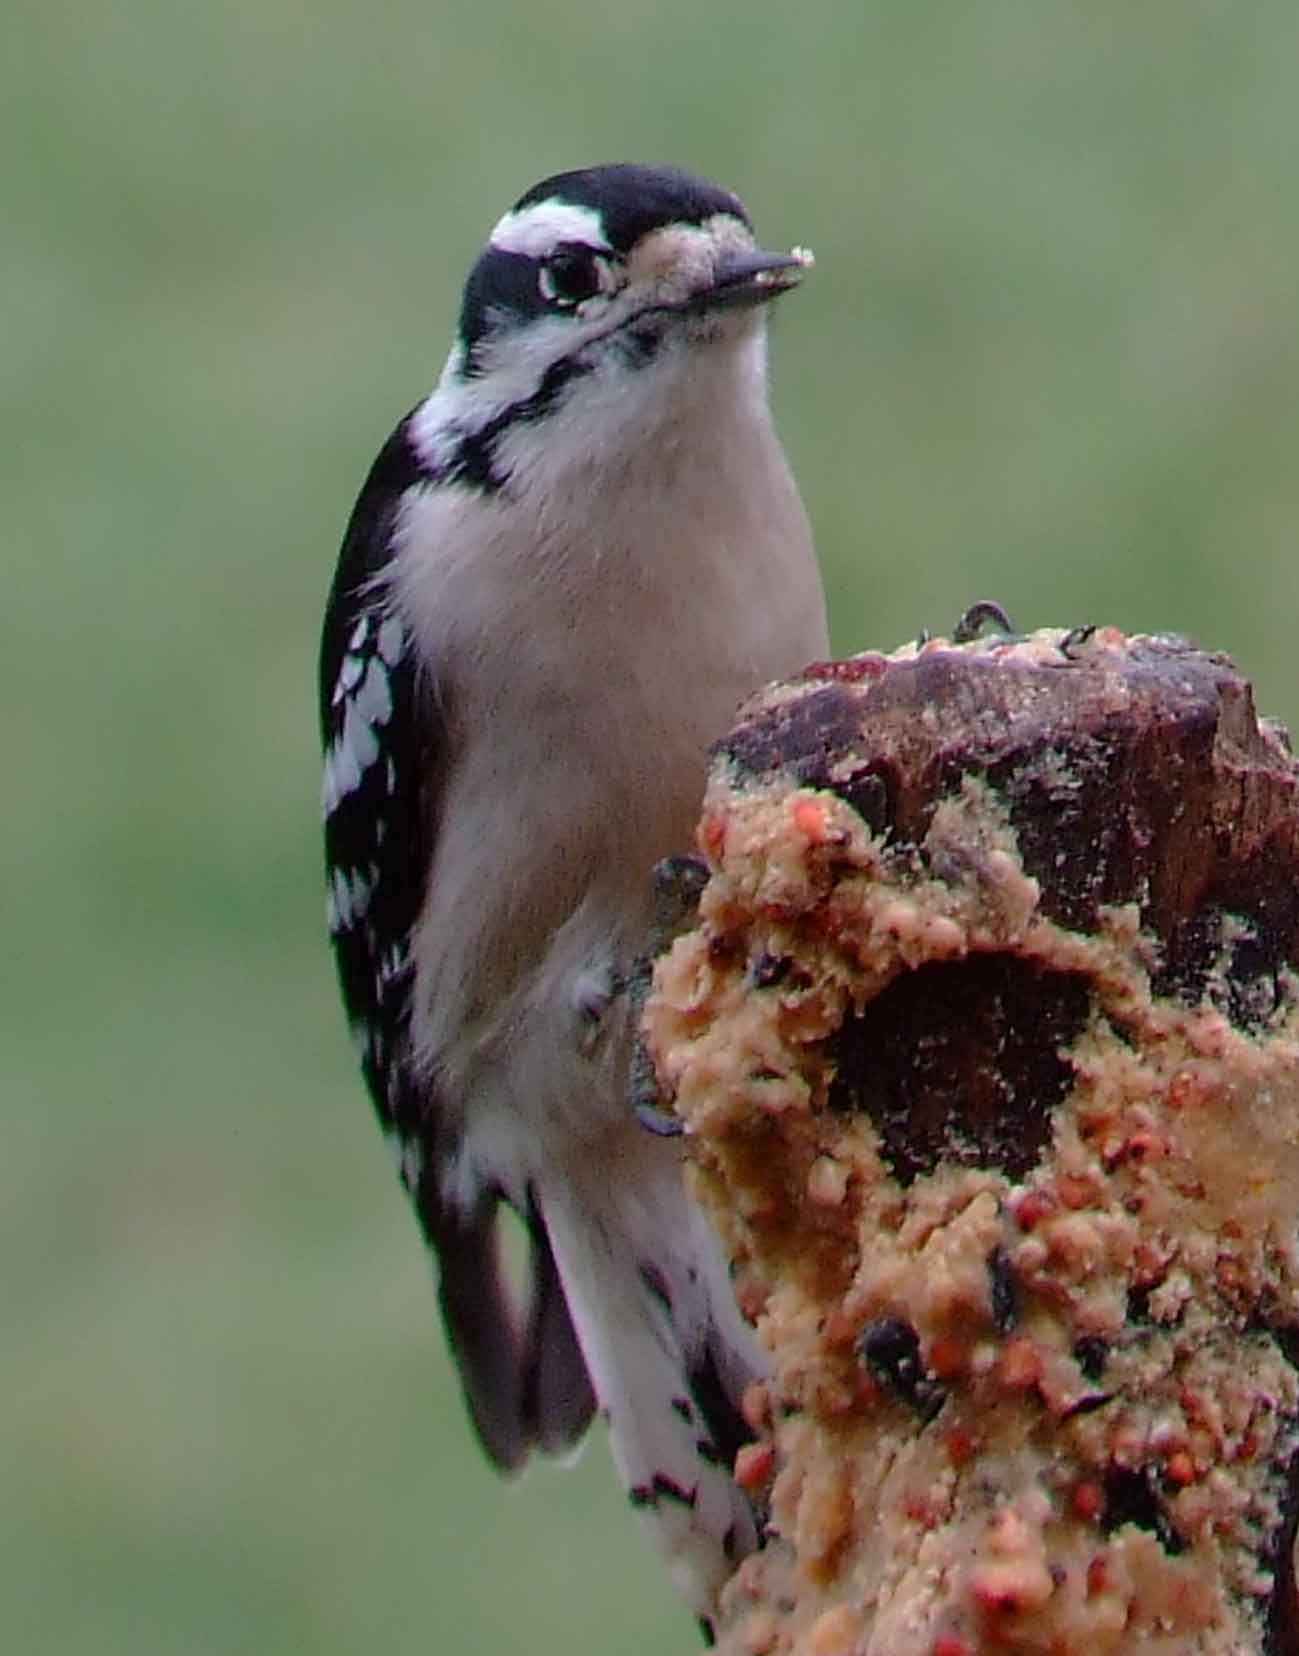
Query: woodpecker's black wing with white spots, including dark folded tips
(524,1380)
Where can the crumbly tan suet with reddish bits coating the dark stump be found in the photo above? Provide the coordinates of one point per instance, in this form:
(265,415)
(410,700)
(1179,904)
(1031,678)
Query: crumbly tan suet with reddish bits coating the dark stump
(1026,1397)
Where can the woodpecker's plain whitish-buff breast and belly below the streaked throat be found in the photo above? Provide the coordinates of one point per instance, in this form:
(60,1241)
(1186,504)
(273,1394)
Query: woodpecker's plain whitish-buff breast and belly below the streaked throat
(592,635)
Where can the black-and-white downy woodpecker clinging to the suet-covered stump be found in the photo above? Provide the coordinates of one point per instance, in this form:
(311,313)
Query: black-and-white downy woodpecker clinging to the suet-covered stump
(567,567)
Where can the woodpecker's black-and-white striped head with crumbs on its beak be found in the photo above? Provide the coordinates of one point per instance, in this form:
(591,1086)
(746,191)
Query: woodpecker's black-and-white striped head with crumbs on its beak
(599,299)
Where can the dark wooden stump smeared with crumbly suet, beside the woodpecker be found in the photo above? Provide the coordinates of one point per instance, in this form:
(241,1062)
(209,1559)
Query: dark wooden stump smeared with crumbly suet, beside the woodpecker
(987,1046)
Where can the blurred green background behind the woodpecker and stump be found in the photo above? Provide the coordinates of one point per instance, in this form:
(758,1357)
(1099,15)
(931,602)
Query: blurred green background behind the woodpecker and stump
(1050,355)
